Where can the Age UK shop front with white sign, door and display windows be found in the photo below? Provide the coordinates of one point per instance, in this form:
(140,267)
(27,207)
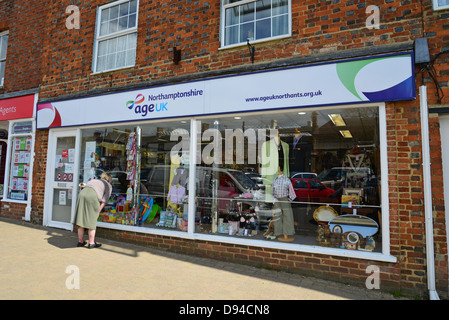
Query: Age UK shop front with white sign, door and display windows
(206,159)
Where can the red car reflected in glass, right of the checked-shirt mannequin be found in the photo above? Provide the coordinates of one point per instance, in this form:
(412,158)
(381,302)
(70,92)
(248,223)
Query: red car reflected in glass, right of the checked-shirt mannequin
(309,190)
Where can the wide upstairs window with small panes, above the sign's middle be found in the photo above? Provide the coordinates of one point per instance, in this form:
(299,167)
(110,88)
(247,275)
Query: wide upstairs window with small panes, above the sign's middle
(254,20)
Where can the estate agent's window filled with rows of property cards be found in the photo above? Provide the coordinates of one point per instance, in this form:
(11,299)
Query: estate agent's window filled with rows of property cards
(21,141)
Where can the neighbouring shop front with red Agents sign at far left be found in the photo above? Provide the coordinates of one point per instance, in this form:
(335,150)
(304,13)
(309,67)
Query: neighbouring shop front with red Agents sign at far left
(17,129)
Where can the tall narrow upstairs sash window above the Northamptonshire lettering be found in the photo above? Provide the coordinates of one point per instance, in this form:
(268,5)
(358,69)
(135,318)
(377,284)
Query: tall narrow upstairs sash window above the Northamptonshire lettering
(116,37)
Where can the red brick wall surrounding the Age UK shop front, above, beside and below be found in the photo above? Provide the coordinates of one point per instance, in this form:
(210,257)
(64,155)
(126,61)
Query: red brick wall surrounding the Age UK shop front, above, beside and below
(320,29)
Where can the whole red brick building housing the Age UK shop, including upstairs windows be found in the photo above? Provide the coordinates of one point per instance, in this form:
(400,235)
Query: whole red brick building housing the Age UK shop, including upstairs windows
(336,81)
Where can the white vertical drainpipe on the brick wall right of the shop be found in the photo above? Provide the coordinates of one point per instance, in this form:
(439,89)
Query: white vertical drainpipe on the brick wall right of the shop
(433,295)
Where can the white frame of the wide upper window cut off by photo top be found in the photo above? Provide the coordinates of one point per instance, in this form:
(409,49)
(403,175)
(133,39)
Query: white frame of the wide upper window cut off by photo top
(225,5)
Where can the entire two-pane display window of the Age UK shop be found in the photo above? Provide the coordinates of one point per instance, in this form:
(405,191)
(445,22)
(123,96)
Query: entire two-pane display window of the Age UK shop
(305,176)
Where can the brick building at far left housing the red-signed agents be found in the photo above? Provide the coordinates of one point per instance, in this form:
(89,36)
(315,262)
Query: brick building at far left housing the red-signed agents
(20,77)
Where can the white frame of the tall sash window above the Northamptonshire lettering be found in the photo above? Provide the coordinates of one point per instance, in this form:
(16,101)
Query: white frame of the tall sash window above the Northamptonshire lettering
(99,38)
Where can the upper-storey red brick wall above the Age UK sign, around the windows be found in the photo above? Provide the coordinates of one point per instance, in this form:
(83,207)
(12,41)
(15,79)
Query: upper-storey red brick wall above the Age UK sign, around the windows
(318,27)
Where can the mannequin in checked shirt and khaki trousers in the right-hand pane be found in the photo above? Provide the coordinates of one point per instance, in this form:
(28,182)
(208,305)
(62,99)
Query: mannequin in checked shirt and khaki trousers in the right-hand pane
(282,191)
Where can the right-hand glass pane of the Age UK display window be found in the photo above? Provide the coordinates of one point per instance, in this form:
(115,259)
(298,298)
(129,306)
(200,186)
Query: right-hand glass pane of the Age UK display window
(334,178)
